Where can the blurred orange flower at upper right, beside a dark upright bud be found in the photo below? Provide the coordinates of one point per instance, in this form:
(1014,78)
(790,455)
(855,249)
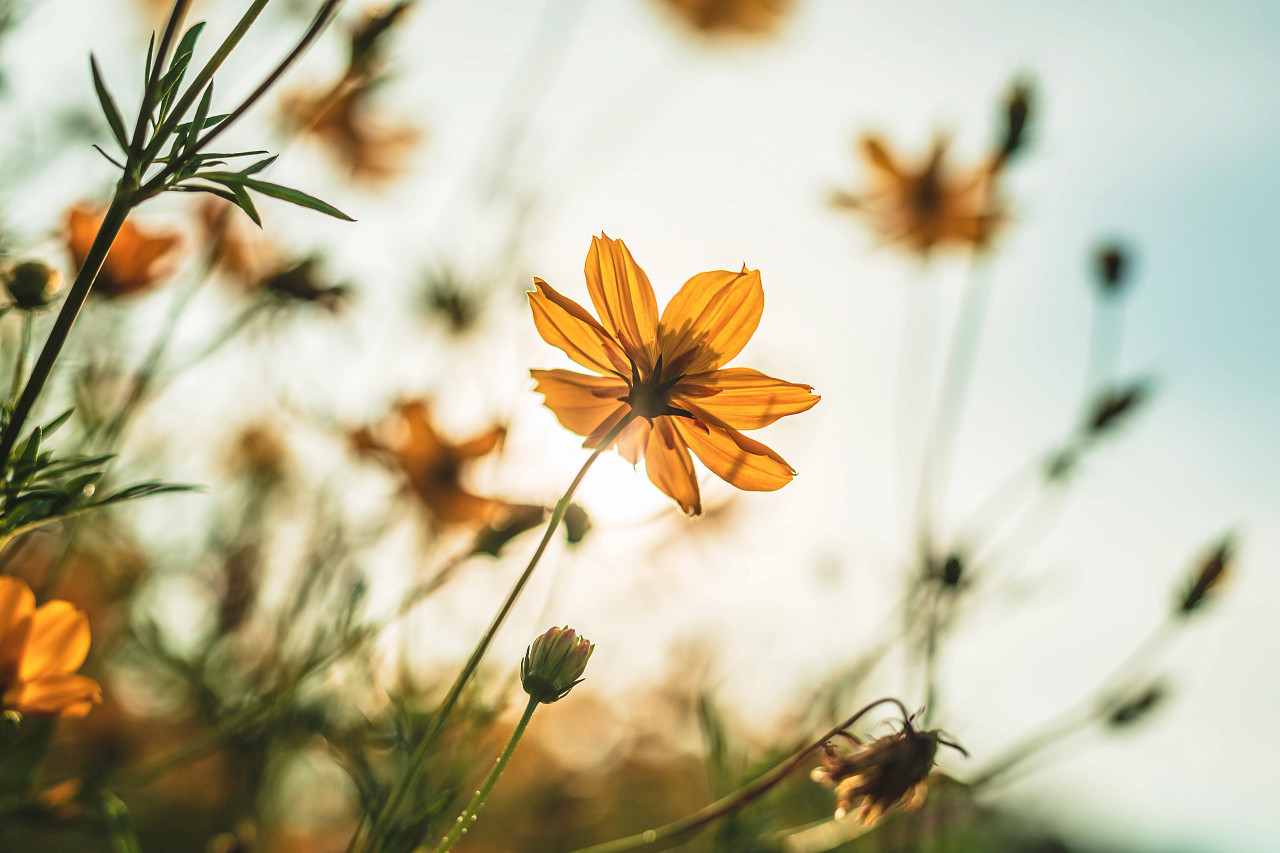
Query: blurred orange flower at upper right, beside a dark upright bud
(927,207)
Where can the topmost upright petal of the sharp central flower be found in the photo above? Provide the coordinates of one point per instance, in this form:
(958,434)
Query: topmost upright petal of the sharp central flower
(624,299)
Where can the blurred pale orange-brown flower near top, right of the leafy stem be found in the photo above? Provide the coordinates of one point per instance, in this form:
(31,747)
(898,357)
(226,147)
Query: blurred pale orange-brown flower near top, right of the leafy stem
(340,118)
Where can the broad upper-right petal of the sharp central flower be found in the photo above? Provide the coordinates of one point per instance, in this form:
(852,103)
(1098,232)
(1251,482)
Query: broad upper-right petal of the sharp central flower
(710,321)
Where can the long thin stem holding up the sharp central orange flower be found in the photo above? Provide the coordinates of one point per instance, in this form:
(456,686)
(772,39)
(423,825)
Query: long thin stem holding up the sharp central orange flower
(377,833)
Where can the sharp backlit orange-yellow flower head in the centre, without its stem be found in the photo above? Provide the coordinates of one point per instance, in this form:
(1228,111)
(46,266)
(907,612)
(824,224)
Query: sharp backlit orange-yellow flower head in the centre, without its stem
(668,375)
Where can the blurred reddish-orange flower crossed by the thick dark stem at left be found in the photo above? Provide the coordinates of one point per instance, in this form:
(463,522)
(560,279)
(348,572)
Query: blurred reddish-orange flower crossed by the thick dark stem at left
(138,261)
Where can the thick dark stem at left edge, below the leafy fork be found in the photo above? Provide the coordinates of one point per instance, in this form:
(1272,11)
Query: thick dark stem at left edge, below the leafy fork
(122,203)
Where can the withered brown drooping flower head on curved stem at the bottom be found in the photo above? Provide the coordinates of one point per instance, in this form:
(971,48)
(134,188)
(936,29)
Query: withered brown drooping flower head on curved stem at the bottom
(883,776)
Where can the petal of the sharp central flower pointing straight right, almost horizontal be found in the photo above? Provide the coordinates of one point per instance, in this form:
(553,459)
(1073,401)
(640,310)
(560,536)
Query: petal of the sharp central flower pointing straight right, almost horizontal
(742,398)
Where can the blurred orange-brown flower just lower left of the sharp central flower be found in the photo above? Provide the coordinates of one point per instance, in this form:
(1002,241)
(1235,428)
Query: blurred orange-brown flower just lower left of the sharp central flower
(433,466)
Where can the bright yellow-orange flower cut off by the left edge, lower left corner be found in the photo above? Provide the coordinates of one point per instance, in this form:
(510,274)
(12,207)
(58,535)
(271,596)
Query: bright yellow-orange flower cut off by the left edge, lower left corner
(40,651)
